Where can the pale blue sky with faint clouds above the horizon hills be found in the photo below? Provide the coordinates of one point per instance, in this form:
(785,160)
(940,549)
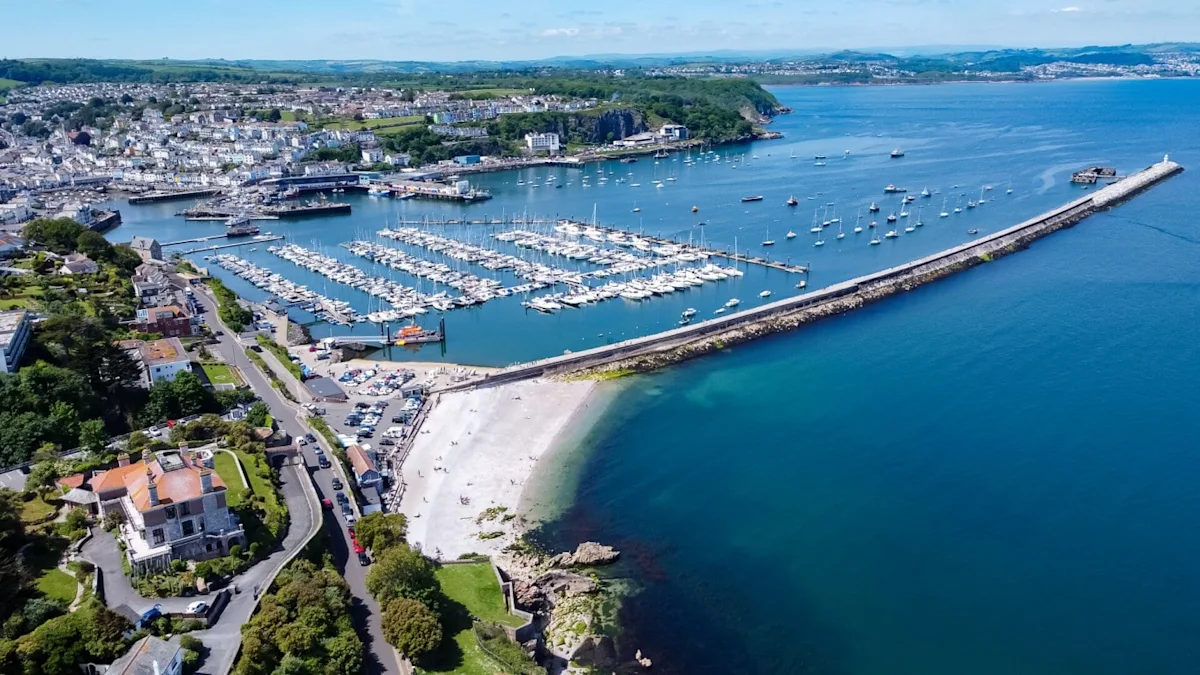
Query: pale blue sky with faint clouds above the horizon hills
(533,29)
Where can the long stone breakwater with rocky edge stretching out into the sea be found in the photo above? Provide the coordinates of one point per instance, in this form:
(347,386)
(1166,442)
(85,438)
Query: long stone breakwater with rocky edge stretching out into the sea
(664,349)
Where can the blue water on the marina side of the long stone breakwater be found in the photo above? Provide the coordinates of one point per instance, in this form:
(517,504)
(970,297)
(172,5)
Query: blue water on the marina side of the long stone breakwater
(957,139)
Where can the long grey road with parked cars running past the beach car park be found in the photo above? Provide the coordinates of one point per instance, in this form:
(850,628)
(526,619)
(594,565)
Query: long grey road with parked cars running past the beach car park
(381,658)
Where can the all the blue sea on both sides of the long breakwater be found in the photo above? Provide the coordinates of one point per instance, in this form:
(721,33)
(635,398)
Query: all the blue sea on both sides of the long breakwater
(995,474)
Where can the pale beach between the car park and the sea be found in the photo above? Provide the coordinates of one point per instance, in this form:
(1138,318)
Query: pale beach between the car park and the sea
(476,452)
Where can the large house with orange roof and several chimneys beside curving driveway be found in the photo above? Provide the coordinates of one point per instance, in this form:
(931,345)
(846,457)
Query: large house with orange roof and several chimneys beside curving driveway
(172,506)
